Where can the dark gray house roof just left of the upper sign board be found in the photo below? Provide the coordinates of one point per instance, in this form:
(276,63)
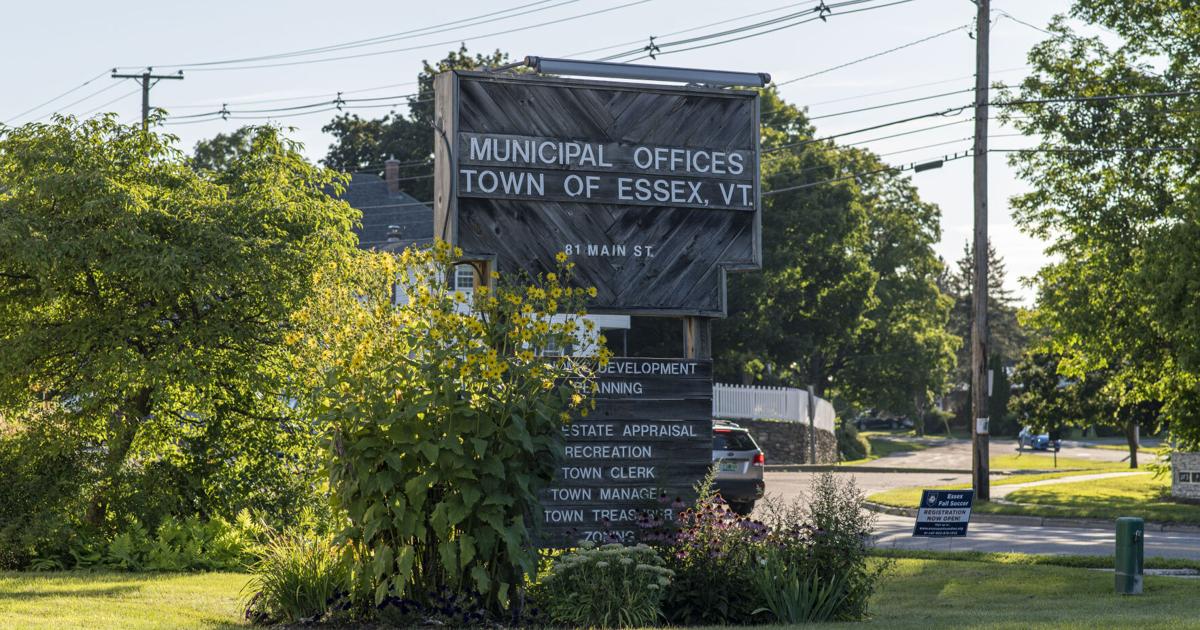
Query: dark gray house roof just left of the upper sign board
(369,194)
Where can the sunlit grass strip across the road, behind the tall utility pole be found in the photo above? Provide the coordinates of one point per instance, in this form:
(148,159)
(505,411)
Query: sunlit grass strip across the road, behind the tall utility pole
(1102,499)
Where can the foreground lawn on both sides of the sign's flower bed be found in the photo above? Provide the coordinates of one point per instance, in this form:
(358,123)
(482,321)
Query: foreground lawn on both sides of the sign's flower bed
(919,593)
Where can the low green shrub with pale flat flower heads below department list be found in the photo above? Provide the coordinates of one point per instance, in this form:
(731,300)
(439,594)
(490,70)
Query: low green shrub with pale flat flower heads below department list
(607,587)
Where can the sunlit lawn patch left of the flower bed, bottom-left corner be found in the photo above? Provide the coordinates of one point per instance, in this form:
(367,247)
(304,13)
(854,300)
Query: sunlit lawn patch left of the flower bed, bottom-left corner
(80,599)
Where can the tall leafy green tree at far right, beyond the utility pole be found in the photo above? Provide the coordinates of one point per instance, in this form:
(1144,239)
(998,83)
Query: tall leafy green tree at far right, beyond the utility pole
(1120,211)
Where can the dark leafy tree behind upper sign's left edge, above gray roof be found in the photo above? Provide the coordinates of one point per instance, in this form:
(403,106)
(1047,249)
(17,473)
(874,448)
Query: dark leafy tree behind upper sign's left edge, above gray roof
(364,145)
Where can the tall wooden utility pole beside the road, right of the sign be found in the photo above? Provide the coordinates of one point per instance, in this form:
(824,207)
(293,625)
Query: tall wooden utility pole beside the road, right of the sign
(980,295)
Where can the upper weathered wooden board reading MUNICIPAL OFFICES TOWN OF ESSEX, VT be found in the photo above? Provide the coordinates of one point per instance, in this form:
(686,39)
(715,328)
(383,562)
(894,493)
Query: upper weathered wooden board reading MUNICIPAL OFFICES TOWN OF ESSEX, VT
(653,191)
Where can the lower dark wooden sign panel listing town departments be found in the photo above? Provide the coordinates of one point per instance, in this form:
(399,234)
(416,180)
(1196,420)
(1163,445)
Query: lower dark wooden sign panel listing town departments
(634,461)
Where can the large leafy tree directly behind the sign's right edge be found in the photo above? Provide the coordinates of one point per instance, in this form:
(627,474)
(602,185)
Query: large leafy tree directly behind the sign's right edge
(848,298)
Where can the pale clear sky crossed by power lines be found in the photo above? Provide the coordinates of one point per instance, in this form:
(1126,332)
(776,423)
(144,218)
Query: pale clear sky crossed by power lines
(47,49)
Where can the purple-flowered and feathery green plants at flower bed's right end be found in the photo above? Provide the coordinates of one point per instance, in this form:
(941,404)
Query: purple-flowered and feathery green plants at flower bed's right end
(806,561)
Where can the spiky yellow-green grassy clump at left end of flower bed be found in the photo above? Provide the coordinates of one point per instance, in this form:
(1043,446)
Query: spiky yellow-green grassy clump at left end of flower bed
(297,579)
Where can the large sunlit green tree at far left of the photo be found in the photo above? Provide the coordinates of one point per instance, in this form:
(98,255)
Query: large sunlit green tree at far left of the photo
(151,301)
